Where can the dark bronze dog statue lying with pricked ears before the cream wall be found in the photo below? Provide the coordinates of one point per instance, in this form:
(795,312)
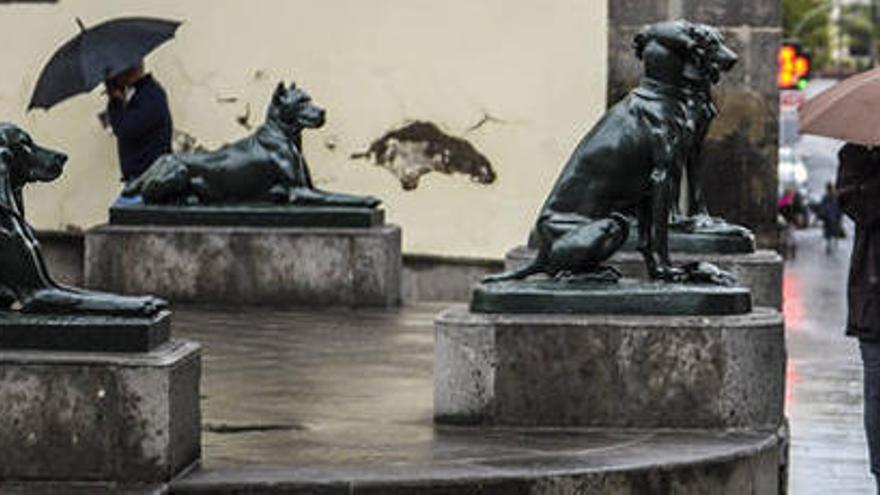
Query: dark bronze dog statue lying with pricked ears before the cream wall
(267,166)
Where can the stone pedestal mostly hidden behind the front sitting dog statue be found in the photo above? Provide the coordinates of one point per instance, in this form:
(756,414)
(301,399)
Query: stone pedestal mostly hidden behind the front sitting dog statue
(760,271)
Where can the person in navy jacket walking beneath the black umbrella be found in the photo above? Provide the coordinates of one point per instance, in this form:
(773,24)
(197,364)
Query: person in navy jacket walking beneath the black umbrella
(138,113)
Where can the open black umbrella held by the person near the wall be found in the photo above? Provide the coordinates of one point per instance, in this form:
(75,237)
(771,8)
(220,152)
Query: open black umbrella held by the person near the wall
(97,54)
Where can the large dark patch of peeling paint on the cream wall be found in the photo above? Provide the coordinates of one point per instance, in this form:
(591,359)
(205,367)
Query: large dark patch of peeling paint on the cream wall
(419,148)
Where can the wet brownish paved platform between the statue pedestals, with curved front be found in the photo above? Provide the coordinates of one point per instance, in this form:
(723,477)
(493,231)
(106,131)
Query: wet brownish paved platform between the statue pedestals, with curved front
(345,397)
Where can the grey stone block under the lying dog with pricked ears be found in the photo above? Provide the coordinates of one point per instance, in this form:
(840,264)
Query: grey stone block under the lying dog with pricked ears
(248,265)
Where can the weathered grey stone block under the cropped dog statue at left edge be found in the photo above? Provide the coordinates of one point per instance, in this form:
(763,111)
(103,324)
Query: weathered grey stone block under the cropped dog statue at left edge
(80,417)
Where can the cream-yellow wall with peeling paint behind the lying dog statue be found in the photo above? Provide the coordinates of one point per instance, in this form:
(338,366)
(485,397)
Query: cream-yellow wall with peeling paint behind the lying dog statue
(539,66)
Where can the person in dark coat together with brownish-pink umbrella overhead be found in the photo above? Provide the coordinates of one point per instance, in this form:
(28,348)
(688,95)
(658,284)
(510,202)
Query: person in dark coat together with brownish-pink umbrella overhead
(847,111)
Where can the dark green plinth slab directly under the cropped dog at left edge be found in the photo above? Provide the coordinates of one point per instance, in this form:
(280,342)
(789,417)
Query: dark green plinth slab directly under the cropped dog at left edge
(83,333)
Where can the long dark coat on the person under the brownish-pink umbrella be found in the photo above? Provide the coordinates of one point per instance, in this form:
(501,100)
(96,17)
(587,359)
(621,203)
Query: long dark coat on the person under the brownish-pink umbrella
(858,185)
